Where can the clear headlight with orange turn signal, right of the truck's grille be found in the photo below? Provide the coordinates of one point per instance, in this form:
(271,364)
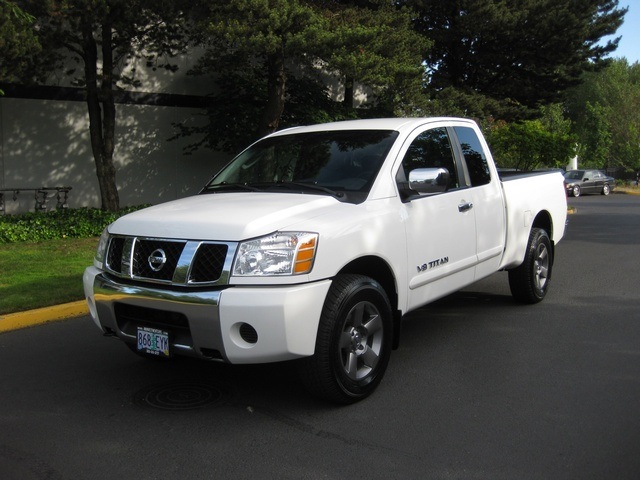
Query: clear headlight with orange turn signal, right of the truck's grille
(281,253)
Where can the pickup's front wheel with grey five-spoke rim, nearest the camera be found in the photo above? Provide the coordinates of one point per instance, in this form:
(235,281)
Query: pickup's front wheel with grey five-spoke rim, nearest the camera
(353,343)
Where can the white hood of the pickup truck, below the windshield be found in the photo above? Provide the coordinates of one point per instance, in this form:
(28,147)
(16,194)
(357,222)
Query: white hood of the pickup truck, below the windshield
(225,217)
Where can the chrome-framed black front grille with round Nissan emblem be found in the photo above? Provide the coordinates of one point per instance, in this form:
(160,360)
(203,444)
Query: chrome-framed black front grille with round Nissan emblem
(170,261)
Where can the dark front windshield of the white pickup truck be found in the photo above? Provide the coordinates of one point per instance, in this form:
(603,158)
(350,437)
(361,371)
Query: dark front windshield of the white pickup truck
(324,162)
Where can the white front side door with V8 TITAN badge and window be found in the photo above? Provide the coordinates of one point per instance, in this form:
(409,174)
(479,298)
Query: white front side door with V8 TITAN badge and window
(440,227)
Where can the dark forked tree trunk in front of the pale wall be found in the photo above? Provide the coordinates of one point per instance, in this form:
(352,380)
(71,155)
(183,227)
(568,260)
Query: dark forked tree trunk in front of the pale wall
(101,109)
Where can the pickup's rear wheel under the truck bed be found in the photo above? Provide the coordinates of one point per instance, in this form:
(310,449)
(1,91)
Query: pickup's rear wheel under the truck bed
(529,282)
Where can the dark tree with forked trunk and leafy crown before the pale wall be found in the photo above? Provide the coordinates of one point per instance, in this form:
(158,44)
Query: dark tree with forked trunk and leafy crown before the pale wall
(106,37)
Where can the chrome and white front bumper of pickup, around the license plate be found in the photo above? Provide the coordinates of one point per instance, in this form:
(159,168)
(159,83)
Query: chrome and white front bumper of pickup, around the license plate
(237,324)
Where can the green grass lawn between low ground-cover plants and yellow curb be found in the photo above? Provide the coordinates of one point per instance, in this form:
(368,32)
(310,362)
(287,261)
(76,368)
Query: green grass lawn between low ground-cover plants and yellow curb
(41,274)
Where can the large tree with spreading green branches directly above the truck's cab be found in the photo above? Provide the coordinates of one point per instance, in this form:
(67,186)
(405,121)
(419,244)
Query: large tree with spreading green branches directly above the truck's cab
(274,63)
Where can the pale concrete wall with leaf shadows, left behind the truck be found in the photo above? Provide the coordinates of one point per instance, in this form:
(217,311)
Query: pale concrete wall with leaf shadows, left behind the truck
(46,143)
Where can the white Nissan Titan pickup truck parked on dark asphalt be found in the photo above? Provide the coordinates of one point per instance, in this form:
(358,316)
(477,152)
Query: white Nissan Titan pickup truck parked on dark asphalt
(315,241)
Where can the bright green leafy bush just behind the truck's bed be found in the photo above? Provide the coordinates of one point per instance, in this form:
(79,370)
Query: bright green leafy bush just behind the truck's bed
(541,143)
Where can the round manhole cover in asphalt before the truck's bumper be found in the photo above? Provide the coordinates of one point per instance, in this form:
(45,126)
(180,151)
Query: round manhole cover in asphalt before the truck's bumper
(179,396)
